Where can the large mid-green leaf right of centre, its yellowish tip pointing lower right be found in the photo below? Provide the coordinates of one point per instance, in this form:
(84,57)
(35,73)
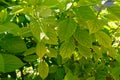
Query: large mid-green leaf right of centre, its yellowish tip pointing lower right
(83,37)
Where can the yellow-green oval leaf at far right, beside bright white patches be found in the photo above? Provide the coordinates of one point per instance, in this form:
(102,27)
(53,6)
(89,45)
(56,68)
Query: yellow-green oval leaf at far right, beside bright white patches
(103,39)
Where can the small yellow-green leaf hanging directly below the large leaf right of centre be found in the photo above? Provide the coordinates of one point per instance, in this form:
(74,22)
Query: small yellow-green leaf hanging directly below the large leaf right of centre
(84,51)
